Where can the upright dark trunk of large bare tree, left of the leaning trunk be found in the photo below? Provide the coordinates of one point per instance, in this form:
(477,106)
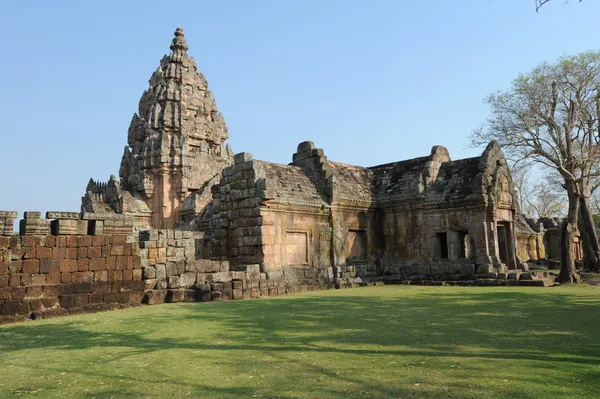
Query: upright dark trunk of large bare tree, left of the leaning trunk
(568,272)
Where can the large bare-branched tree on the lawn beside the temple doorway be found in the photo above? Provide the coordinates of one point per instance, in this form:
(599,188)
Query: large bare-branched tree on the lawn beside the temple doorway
(549,117)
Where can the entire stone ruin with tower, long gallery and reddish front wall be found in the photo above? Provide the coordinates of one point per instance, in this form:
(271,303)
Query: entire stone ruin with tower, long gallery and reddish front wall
(189,221)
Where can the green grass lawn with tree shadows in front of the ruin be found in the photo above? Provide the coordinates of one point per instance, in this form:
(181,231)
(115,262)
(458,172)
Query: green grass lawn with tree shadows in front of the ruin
(379,342)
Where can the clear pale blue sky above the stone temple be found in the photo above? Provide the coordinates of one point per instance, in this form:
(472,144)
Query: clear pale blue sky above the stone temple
(370,82)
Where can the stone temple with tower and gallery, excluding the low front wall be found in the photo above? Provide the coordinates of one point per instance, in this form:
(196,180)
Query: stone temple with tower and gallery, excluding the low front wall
(178,172)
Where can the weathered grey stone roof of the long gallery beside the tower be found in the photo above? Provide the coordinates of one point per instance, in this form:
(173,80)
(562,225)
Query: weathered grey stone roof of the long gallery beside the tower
(434,179)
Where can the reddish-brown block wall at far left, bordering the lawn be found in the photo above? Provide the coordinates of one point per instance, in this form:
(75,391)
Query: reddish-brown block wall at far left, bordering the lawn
(45,276)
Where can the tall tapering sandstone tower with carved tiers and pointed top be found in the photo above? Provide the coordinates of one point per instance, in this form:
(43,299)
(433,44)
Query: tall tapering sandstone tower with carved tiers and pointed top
(176,148)
